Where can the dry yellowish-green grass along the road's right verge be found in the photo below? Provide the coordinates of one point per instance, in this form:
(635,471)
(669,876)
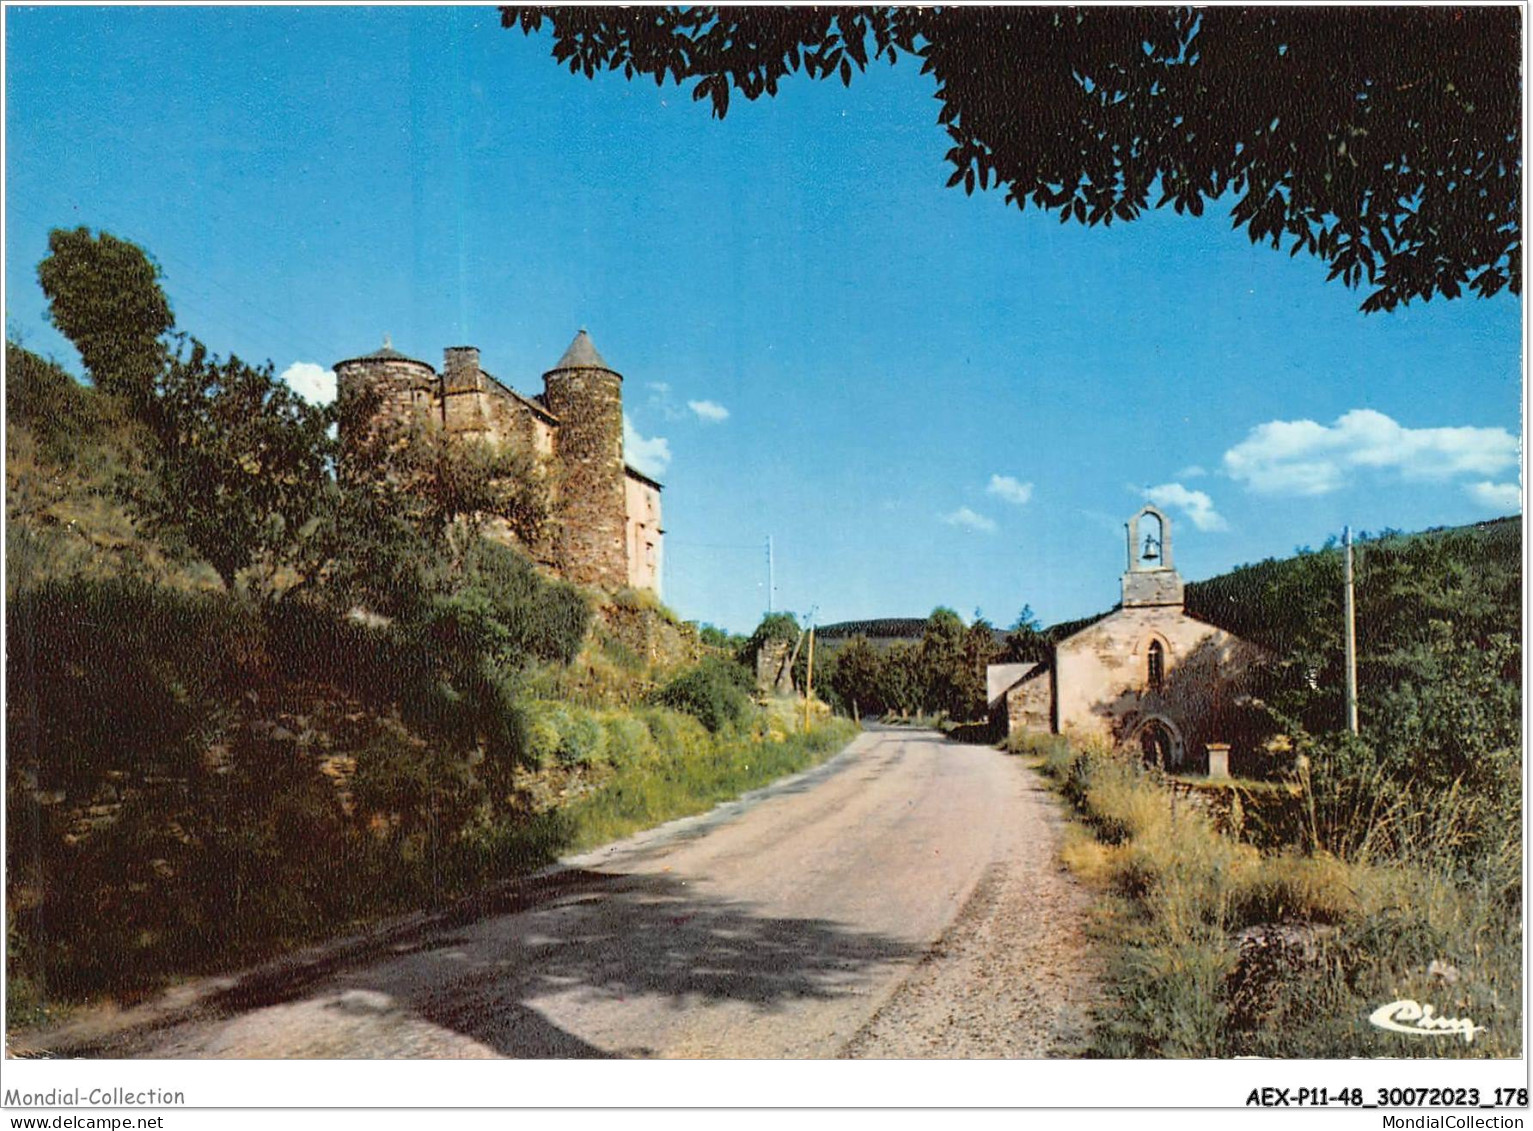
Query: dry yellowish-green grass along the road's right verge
(1226,951)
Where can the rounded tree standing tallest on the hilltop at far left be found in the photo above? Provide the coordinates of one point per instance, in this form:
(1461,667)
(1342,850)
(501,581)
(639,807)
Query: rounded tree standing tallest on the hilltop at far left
(103,295)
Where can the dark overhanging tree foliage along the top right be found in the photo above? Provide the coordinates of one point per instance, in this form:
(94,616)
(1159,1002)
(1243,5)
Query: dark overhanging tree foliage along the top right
(1387,142)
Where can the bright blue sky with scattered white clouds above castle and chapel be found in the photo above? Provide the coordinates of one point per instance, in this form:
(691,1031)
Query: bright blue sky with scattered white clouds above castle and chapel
(924,398)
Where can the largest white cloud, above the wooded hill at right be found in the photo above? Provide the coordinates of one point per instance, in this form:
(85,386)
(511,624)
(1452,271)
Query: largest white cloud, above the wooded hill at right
(1301,457)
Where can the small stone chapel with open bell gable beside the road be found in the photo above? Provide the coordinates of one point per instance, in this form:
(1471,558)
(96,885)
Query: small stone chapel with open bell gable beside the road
(1147,675)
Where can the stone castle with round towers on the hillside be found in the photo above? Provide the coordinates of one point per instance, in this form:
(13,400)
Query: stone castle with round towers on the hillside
(606,514)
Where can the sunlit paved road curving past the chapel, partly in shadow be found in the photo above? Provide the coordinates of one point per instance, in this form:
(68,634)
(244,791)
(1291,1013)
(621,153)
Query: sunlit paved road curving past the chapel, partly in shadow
(904,900)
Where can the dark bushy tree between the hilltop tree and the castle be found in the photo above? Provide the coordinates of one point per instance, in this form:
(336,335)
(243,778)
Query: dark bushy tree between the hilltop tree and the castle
(238,465)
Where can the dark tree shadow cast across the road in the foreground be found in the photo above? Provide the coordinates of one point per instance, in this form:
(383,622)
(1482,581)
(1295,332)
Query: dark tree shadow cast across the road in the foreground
(648,942)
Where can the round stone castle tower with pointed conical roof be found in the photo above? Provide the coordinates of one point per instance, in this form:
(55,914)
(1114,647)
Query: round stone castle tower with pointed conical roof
(586,395)
